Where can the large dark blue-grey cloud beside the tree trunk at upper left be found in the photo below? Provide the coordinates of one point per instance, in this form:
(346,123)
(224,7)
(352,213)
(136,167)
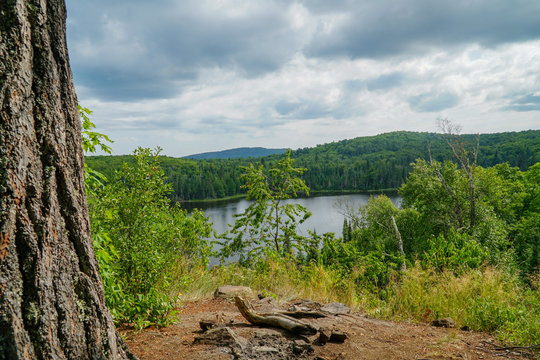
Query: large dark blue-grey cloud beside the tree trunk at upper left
(125,50)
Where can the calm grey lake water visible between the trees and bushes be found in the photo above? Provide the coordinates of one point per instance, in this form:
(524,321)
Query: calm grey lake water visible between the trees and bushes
(327,211)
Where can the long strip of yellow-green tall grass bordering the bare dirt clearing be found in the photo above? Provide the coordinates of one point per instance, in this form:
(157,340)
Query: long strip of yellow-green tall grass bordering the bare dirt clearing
(486,299)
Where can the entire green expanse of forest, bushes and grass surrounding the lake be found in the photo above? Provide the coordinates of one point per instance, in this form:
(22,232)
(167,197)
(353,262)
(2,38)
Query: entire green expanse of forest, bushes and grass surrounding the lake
(465,242)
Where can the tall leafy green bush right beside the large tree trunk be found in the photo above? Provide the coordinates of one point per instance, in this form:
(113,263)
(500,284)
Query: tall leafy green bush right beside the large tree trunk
(139,238)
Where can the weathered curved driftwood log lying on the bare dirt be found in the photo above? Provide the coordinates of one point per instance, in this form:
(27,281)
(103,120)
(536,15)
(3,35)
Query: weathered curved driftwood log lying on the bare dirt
(273,319)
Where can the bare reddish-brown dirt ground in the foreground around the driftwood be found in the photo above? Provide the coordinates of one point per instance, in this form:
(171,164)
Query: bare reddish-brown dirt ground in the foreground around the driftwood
(367,339)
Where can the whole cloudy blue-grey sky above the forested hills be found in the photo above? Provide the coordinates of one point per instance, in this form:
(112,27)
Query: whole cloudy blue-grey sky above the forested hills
(207,75)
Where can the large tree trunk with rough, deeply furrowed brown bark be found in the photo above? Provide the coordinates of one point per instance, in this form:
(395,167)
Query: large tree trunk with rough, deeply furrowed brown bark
(52,304)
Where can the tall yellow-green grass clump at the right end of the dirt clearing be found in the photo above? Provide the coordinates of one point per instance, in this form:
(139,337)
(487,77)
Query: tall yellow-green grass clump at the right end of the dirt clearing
(484,300)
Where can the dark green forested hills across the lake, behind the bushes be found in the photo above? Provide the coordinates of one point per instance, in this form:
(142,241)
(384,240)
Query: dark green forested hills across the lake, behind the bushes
(364,163)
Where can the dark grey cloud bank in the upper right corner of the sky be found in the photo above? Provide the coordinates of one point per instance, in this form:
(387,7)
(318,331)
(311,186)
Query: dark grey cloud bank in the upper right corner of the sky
(385,28)
